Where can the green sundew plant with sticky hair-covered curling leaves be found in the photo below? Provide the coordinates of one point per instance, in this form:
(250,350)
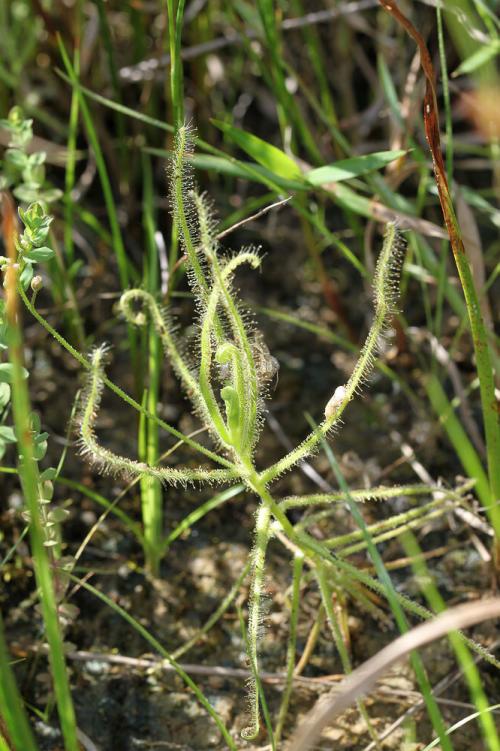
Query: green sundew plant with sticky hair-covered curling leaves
(227,382)
